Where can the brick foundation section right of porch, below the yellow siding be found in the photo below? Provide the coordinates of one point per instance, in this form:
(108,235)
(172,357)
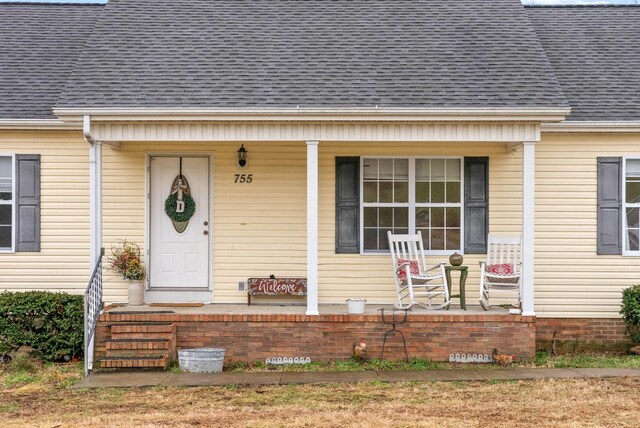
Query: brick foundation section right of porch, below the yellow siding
(581,334)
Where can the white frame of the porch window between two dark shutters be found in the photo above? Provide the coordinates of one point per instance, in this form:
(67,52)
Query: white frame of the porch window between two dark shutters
(412,202)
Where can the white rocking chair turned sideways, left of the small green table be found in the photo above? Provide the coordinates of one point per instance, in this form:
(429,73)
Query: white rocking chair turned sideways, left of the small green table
(414,279)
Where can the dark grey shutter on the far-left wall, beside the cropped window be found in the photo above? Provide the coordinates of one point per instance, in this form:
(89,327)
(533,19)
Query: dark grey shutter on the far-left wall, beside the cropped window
(27,203)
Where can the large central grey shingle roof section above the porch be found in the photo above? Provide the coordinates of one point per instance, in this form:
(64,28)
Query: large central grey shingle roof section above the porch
(313,53)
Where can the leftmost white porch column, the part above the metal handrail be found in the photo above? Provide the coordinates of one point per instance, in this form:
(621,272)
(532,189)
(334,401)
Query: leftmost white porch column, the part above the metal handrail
(95,202)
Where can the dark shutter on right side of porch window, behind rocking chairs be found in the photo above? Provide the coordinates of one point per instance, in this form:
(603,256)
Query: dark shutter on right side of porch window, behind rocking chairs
(476,204)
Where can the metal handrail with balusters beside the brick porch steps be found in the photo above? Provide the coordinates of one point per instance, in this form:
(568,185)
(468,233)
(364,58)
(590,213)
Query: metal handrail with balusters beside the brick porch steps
(92,310)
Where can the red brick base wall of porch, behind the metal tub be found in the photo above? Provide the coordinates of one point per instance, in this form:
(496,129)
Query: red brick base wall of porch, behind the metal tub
(252,338)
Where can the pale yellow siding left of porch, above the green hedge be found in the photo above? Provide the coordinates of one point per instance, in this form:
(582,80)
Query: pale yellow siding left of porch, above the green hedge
(63,262)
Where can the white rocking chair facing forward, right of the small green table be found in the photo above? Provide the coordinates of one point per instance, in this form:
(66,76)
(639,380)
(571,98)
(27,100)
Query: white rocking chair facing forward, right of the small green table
(501,271)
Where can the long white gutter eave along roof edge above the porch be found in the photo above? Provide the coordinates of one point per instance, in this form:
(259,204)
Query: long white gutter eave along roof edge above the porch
(314,114)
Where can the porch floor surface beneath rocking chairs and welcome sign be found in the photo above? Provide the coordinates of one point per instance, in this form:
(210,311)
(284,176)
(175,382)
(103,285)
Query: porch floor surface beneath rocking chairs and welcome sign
(324,309)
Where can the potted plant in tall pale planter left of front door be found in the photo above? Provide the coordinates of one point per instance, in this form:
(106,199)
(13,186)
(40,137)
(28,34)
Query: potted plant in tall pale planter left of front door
(126,261)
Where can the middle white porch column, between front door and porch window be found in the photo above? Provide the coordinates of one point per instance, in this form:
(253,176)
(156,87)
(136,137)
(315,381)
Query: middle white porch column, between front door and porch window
(312,228)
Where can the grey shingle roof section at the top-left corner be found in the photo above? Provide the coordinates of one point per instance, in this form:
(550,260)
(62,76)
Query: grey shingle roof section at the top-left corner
(39,45)
